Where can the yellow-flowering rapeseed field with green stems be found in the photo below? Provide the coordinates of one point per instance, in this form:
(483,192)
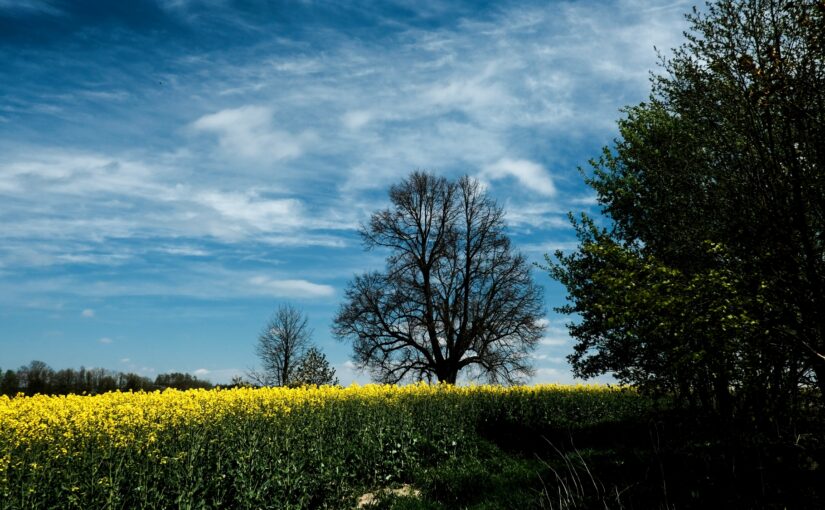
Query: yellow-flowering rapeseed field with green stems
(261,448)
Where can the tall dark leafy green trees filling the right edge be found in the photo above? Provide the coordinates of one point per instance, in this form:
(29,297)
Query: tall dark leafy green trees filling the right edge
(719,182)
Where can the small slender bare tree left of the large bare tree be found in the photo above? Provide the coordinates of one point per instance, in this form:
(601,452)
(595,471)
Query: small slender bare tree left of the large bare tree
(281,345)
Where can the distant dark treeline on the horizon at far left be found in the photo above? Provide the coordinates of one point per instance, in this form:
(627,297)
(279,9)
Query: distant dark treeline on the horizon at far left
(38,377)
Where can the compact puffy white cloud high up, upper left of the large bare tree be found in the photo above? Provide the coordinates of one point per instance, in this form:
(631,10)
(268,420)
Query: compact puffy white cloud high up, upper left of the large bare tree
(249,132)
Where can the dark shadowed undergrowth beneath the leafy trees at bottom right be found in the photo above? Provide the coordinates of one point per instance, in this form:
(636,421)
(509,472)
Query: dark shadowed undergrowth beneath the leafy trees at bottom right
(667,460)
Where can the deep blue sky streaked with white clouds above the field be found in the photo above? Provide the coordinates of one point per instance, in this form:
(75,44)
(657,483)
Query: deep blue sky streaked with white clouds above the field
(173,170)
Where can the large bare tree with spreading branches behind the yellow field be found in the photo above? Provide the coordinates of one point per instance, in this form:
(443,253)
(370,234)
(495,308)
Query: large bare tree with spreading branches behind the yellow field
(454,295)
